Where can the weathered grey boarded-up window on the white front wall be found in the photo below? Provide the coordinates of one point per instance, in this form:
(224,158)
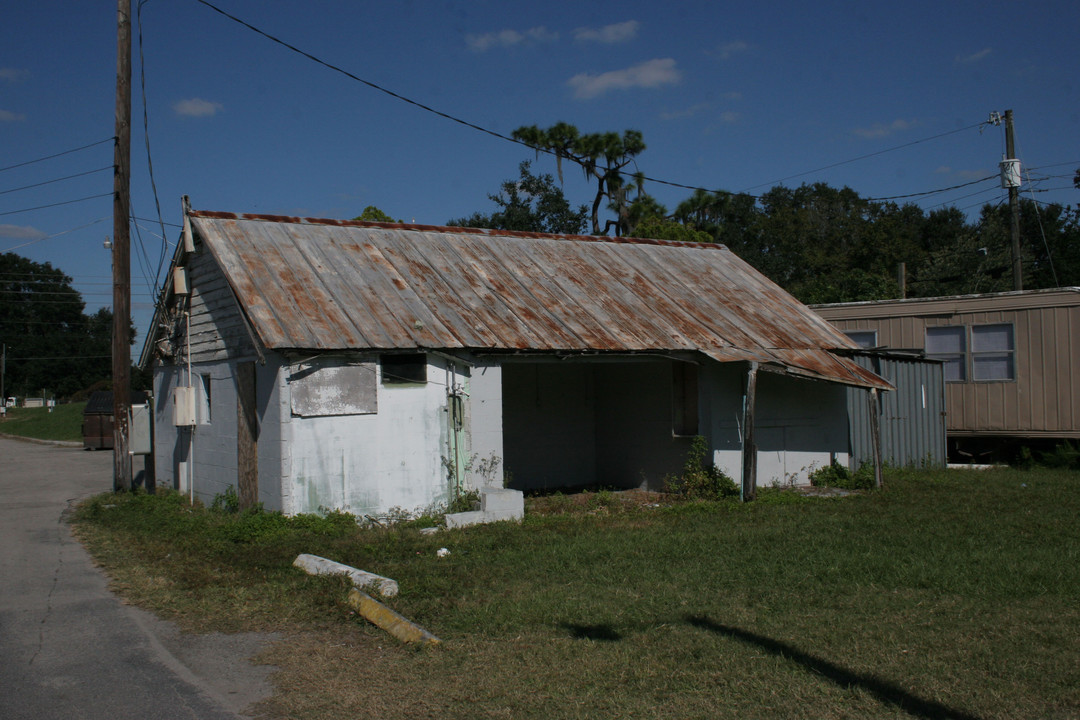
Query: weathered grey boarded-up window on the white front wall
(328,387)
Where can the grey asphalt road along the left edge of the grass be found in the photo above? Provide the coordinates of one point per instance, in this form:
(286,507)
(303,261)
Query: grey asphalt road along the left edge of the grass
(69,647)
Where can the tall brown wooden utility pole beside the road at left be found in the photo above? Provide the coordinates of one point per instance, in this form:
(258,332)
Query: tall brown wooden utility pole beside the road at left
(121,253)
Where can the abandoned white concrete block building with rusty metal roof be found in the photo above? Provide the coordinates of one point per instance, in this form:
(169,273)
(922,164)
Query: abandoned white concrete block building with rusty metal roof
(317,364)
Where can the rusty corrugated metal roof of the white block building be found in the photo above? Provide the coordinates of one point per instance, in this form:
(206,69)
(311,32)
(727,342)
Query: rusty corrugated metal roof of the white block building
(314,284)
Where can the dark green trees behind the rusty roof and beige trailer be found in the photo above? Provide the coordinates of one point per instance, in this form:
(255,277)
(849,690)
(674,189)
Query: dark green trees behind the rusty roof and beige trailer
(818,242)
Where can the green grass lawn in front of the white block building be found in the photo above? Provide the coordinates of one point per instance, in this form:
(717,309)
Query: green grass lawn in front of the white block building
(946,595)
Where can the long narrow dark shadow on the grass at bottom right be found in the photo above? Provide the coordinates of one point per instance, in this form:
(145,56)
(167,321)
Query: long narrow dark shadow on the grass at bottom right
(843,677)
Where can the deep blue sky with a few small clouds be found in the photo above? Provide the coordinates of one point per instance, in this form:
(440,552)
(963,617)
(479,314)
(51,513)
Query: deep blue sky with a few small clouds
(887,99)
